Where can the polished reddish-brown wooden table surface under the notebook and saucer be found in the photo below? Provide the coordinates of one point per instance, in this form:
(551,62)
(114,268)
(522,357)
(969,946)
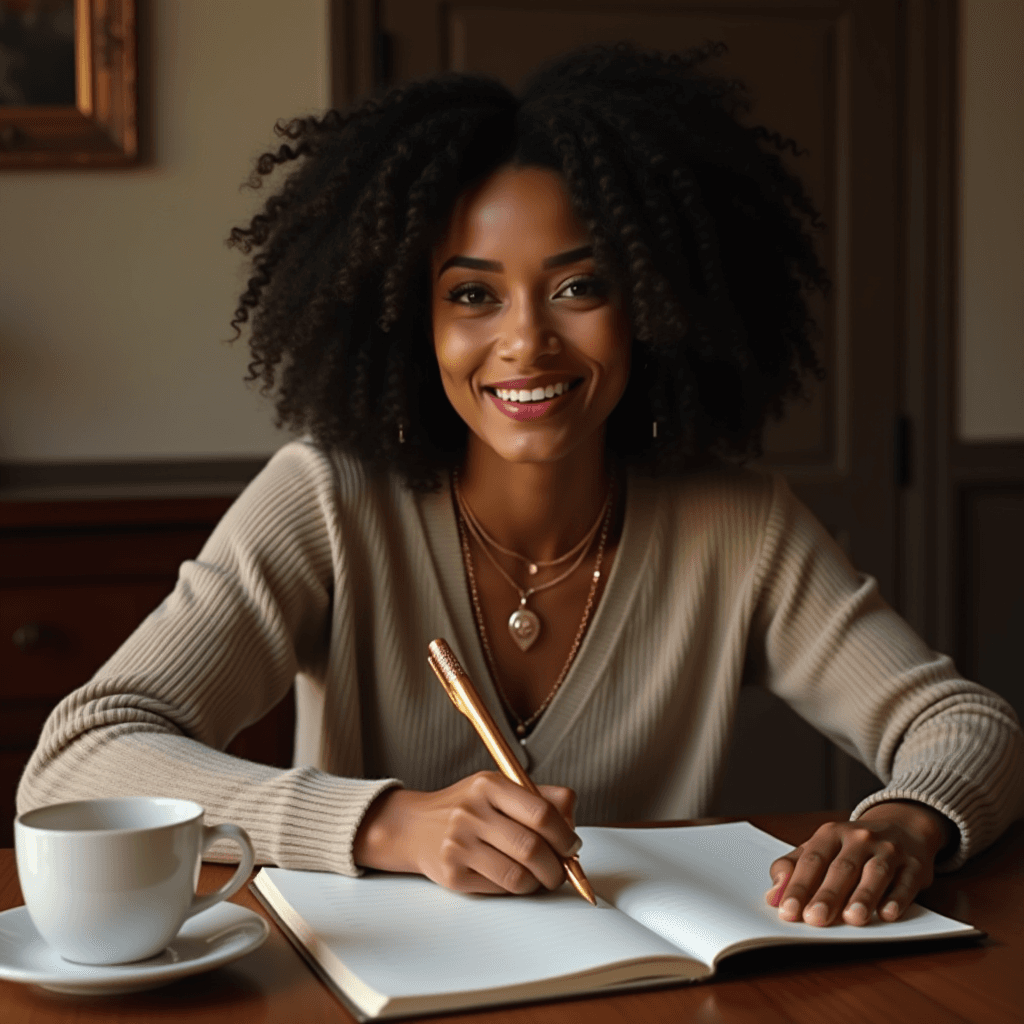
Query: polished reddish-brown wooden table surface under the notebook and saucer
(975,980)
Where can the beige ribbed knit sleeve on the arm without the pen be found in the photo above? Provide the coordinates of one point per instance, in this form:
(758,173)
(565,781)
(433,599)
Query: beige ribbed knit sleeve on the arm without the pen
(848,664)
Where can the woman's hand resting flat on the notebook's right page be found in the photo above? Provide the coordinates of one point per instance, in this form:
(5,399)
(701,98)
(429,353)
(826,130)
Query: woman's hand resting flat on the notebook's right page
(847,870)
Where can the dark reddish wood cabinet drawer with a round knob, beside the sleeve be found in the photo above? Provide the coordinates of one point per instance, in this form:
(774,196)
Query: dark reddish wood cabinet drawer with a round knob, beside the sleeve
(53,639)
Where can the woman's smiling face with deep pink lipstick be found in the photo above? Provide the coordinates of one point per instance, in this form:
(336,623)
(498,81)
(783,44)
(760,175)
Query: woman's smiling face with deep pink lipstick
(533,345)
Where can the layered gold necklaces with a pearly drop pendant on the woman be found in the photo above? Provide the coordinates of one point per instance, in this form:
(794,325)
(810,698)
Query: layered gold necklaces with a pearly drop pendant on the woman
(525,625)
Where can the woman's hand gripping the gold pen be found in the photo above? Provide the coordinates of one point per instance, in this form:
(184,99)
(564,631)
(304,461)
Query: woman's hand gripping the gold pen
(483,835)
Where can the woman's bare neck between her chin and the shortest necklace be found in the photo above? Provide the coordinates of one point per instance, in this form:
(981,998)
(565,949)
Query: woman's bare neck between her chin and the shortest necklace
(540,510)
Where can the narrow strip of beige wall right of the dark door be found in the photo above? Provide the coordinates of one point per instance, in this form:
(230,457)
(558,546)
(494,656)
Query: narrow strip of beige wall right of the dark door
(992,340)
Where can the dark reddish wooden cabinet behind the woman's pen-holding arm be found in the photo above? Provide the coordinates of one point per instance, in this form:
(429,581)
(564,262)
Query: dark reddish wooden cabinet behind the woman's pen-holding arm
(76,579)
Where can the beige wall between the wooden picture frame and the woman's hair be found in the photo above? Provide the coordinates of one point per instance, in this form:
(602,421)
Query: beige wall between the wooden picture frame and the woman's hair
(116,287)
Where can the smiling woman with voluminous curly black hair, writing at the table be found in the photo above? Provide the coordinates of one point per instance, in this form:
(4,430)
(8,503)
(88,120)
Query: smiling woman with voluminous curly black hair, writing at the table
(526,338)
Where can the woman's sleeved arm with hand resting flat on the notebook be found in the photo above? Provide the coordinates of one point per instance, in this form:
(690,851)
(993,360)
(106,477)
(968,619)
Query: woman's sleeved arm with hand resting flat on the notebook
(950,753)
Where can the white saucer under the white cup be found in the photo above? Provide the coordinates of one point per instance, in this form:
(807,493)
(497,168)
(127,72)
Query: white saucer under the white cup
(217,936)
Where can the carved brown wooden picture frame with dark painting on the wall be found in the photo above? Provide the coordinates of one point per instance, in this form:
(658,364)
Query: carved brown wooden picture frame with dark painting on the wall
(47,122)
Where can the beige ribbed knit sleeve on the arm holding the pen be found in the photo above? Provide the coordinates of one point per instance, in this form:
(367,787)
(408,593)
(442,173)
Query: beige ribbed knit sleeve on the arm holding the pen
(247,616)
